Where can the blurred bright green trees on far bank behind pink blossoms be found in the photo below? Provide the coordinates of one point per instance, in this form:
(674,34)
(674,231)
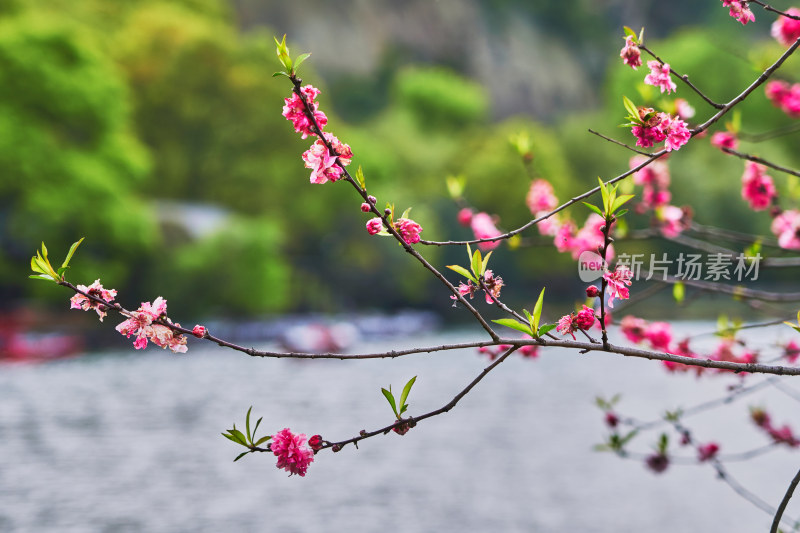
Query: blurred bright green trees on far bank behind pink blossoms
(107,108)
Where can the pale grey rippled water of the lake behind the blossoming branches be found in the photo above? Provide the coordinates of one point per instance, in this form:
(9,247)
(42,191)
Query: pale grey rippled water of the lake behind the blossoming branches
(129,442)
